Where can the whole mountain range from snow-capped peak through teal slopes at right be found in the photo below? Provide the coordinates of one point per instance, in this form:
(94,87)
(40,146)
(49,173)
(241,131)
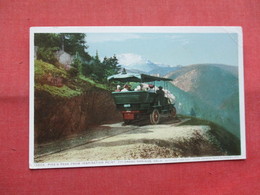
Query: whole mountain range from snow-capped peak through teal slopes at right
(207,91)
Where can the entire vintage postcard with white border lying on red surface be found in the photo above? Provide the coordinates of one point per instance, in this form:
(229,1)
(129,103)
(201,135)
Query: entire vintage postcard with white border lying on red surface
(106,96)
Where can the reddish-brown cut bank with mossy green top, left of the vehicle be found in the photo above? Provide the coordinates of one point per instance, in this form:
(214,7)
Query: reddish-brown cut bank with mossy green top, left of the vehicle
(66,105)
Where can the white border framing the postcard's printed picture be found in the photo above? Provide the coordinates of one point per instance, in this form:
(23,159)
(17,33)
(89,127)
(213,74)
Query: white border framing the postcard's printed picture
(136,29)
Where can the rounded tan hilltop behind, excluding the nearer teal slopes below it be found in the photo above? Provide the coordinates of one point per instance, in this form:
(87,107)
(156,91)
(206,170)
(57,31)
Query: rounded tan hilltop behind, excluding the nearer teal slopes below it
(211,83)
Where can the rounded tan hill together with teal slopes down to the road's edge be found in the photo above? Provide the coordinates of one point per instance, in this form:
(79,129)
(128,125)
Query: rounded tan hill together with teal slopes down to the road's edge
(211,91)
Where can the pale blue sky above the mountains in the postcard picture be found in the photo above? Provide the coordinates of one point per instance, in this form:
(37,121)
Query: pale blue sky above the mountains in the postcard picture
(168,48)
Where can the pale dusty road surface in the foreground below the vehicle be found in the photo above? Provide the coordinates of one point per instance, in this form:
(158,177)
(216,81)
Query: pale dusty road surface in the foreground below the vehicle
(118,142)
